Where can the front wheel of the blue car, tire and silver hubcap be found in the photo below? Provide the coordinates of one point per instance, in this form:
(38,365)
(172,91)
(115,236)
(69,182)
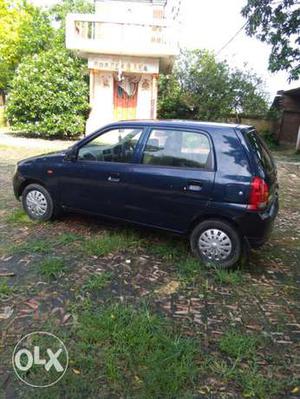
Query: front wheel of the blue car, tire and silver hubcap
(38,203)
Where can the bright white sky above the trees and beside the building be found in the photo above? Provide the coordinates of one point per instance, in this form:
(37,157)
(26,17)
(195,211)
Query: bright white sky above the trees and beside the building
(210,24)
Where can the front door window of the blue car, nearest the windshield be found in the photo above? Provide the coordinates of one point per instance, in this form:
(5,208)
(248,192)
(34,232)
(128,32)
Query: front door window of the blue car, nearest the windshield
(116,145)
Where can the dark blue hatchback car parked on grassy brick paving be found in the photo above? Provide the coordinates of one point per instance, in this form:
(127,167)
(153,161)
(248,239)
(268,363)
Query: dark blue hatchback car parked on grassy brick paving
(216,183)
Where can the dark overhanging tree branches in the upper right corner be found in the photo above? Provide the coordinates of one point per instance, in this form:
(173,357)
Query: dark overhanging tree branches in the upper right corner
(278,24)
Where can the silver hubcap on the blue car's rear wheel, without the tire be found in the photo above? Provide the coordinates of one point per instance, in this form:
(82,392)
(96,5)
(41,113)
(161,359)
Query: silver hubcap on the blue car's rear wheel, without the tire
(215,245)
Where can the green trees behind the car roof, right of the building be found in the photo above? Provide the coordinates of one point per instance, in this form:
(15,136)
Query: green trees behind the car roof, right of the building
(200,87)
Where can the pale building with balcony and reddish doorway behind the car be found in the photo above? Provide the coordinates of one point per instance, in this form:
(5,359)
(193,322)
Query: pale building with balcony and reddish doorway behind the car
(127,43)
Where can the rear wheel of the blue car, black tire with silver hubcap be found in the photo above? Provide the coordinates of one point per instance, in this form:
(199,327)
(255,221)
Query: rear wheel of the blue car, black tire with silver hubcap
(216,243)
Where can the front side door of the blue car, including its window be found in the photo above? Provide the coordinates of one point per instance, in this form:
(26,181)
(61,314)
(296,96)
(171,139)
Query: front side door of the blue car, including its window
(97,181)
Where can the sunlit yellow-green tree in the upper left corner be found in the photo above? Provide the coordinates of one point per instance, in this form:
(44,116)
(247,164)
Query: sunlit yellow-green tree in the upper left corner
(24,30)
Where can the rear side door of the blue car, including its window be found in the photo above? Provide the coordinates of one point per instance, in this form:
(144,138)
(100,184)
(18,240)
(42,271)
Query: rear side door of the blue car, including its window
(173,182)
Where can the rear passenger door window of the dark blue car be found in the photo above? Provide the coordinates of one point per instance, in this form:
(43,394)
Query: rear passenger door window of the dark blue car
(177,148)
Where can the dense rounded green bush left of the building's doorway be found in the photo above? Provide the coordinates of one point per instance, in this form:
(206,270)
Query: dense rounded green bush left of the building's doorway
(49,96)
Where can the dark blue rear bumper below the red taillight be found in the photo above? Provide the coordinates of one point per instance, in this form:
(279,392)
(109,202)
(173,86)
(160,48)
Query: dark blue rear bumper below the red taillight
(257,226)
